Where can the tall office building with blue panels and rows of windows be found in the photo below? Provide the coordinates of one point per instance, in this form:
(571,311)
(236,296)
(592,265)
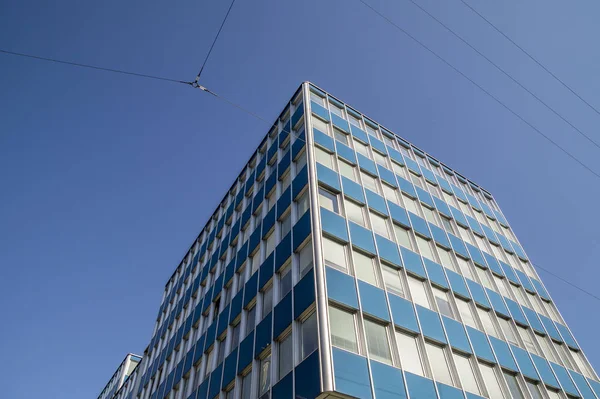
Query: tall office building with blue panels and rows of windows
(343,259)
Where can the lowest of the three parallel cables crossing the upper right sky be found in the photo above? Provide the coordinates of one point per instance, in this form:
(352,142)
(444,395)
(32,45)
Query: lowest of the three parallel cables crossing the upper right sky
(538,131)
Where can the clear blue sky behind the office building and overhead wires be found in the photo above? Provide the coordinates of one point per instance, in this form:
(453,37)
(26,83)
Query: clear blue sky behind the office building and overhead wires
(107,179)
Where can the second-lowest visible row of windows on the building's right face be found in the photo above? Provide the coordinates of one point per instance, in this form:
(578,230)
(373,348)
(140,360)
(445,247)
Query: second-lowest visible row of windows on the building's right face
(394,281)
